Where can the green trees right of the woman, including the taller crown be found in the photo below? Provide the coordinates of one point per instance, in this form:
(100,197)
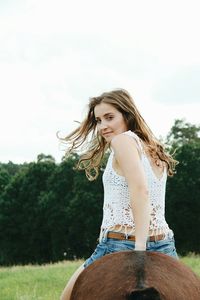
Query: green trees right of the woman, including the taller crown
(183,190)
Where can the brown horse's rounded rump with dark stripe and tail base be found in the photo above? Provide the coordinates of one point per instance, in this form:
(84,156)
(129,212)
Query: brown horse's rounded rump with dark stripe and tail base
(137,275)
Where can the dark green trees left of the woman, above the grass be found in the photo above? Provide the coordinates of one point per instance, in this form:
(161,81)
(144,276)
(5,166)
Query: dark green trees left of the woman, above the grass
(48,212)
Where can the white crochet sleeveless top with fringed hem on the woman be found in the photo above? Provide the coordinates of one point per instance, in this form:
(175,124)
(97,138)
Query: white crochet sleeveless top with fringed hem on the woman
(117,208)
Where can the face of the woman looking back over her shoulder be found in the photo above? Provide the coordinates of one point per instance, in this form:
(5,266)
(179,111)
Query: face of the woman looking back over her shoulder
(110,121)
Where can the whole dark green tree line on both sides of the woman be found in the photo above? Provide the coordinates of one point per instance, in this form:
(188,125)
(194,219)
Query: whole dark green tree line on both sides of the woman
(49,211)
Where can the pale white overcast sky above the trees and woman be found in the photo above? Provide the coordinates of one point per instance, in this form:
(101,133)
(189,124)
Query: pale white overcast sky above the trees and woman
(55,54)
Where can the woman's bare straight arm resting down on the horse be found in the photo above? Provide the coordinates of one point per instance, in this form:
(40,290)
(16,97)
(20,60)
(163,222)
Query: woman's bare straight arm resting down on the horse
(128,160)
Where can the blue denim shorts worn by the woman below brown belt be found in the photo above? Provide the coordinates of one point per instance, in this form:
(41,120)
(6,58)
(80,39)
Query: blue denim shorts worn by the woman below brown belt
(108,245)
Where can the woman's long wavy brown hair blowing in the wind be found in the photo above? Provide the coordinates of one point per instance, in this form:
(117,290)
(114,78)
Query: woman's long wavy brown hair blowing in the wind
(92,146)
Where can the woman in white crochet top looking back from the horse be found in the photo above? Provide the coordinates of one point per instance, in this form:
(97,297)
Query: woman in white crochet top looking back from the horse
(134,179)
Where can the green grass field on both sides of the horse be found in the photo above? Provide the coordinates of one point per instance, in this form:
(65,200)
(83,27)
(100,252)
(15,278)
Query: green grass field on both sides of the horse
(46,282)
